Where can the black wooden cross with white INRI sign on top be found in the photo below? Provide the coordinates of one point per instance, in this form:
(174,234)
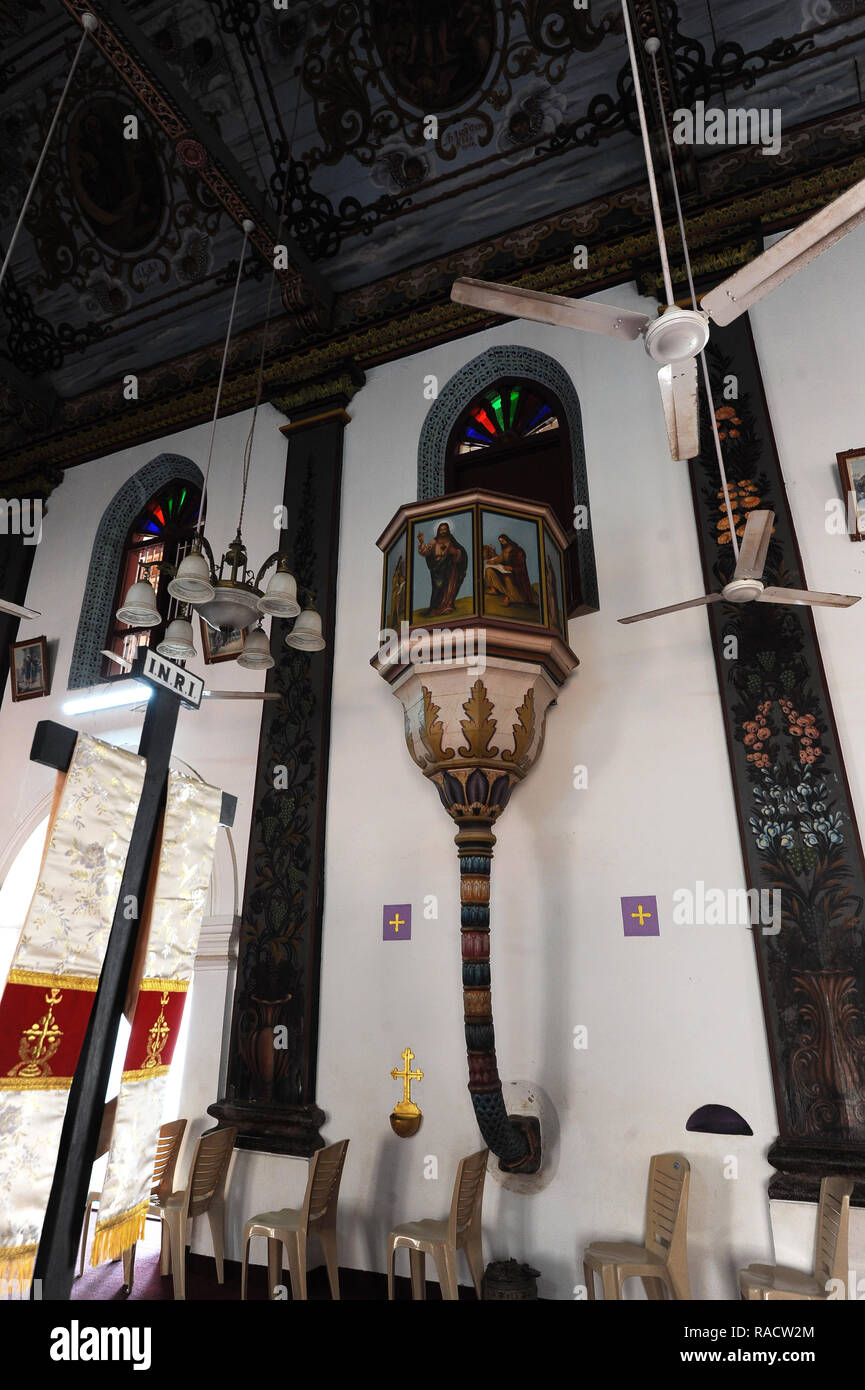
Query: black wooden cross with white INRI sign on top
(54,747)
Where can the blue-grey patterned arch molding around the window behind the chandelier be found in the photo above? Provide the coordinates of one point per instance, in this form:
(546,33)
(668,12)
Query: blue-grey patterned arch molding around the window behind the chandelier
(108,555)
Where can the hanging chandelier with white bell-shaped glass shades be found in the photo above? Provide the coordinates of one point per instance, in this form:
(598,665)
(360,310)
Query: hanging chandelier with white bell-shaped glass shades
(230,596)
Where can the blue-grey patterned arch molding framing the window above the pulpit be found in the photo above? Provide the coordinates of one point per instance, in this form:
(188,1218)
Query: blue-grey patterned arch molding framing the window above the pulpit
(464,387)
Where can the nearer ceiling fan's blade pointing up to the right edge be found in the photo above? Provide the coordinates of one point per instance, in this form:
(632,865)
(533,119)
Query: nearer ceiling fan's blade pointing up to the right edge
(795,251)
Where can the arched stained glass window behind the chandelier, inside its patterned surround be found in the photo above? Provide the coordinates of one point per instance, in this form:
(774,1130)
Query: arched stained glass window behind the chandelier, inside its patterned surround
(162,533)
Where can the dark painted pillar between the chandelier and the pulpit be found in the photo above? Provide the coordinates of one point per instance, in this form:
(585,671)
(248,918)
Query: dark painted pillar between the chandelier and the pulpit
(270,1089)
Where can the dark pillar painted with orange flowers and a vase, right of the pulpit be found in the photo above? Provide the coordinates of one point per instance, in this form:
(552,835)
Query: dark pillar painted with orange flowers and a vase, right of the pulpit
(798,824)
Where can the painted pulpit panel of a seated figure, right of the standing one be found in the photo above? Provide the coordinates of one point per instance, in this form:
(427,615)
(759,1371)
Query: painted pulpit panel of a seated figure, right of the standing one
(512,568)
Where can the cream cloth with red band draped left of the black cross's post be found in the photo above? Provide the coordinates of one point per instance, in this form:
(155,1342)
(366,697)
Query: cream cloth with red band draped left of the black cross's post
(52,983)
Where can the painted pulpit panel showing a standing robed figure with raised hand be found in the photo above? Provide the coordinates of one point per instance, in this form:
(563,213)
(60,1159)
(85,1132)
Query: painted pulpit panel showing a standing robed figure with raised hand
(443,568)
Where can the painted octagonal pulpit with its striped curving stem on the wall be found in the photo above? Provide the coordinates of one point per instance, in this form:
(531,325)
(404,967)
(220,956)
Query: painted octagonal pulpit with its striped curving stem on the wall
(474,644)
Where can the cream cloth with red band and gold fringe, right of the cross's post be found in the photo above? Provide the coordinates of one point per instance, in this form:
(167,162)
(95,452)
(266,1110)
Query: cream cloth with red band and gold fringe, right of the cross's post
(173,924)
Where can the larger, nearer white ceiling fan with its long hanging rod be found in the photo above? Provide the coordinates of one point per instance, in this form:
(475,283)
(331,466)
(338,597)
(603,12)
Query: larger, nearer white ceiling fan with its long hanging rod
(678,337)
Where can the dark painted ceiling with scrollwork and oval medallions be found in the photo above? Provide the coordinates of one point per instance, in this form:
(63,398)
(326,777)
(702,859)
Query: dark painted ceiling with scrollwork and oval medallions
(130,247)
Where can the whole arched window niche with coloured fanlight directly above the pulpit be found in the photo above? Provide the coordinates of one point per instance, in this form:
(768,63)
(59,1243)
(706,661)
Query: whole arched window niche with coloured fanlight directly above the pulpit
(510,422)
